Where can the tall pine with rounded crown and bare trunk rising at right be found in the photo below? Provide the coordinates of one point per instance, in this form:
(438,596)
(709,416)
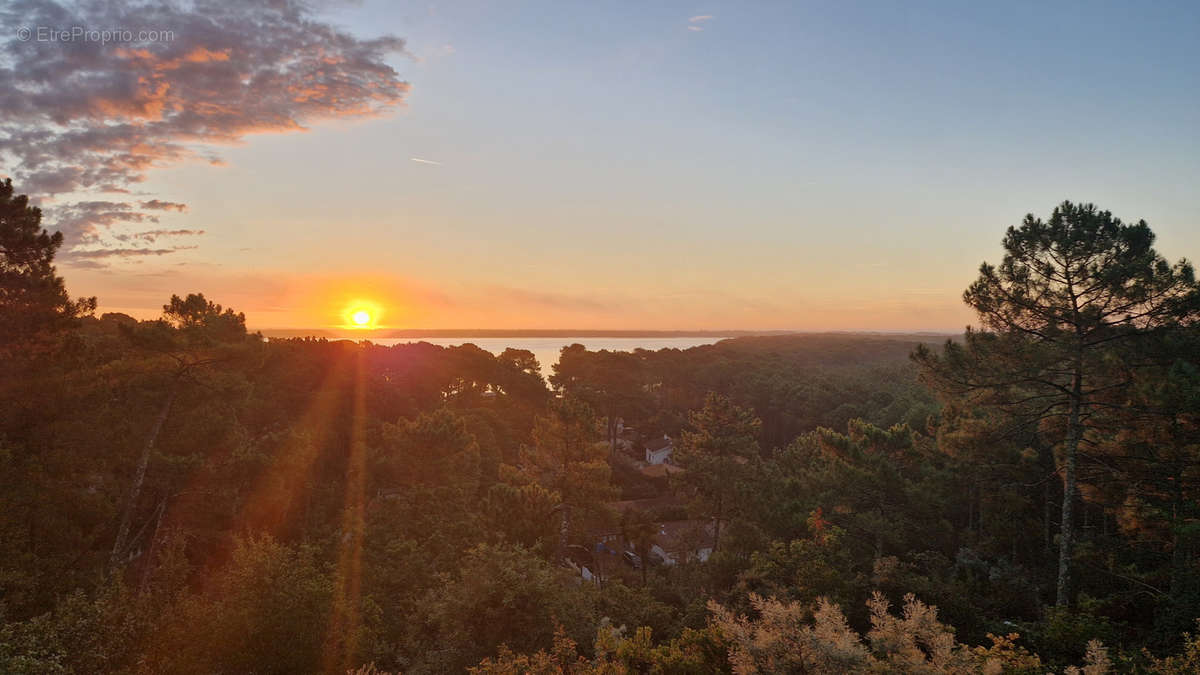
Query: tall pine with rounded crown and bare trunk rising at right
(1070,291)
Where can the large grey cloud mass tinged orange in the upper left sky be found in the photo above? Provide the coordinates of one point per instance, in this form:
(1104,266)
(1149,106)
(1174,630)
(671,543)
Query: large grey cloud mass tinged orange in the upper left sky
(92,116)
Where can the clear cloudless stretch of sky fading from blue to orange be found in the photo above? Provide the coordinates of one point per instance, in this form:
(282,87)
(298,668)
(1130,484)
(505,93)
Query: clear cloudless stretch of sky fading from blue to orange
(788,165)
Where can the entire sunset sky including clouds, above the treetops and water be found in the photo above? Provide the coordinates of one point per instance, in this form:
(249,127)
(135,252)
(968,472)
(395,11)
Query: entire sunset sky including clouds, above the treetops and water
(807,166)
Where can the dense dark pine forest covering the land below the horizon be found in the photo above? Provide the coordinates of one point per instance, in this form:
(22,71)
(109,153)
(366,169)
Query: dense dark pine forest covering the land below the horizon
(183,495)
